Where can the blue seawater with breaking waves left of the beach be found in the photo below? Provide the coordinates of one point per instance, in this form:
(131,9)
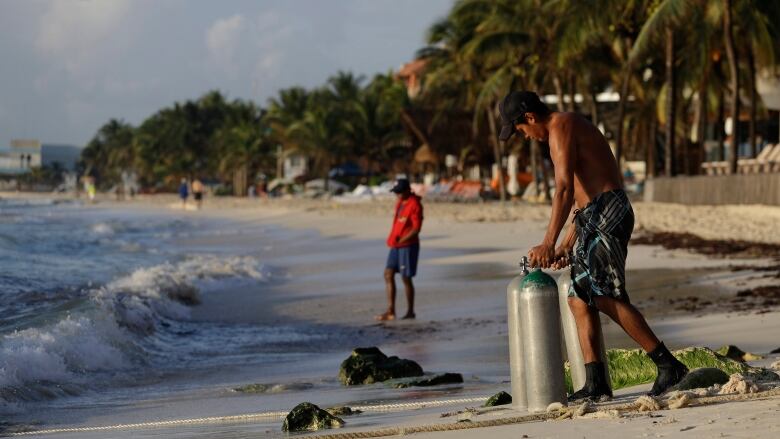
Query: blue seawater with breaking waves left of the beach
(94,300)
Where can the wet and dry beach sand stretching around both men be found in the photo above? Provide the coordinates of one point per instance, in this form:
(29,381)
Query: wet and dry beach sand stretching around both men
(469,254)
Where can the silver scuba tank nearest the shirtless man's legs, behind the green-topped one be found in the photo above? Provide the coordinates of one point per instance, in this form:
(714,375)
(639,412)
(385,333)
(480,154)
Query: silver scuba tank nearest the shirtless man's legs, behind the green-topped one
(571,337)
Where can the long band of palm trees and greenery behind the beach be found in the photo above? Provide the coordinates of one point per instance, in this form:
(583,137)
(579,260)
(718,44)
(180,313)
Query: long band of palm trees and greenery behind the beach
(659,77)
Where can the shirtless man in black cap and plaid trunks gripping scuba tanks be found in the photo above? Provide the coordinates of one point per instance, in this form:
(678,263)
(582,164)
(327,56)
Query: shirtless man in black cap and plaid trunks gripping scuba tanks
(588,178)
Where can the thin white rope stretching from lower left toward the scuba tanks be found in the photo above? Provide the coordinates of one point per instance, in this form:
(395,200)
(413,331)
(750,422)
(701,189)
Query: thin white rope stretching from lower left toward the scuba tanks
(250,416)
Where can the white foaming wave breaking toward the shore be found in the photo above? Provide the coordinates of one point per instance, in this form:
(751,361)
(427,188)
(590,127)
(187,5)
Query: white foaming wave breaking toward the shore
(114,333)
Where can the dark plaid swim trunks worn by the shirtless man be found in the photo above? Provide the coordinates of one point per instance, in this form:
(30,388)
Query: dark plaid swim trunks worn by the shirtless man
(598,262)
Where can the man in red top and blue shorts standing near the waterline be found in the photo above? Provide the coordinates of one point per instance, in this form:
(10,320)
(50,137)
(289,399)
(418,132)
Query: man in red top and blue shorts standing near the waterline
(404,243)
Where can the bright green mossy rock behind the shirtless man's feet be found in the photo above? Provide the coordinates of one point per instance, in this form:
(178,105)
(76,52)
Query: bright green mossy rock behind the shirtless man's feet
(630,367)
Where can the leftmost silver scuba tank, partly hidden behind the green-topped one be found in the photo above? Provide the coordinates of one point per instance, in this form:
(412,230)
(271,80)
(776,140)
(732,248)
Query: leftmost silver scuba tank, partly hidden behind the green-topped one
(516,362)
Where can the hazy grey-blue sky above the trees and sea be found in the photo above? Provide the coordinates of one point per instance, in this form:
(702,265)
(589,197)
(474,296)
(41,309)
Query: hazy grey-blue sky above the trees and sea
(68,66)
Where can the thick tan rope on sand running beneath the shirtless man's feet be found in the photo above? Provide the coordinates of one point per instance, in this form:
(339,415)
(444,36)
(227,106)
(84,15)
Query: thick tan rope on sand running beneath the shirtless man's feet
(631,407)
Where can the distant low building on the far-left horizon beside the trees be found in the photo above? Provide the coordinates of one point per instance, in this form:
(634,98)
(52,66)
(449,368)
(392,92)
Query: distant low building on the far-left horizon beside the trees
(26,154)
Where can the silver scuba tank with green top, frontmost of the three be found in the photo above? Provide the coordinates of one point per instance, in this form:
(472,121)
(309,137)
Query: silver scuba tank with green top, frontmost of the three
(540,327)
